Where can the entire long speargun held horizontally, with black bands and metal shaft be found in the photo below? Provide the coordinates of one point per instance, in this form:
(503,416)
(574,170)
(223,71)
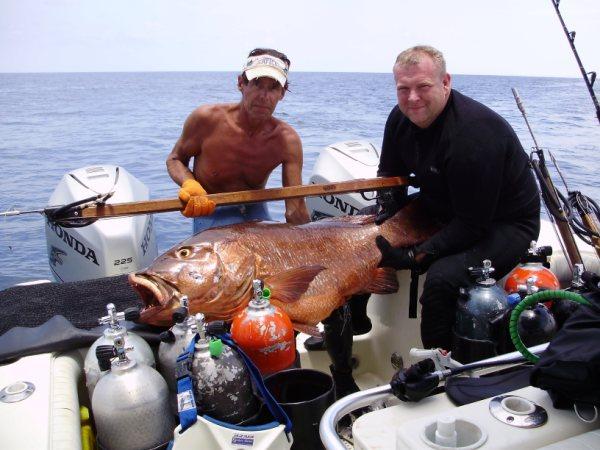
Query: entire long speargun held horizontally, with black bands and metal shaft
(85,211)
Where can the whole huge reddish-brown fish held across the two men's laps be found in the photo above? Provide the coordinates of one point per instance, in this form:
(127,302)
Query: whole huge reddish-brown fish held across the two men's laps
(311,269)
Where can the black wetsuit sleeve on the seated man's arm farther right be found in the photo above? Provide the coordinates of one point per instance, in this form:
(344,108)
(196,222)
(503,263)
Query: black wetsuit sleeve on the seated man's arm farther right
(474,183)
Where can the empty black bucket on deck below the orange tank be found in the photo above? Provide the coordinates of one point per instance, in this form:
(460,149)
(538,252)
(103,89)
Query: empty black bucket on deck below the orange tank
(304,394)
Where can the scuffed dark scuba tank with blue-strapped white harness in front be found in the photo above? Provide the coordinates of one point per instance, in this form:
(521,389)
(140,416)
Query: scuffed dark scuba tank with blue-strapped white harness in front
(217,380)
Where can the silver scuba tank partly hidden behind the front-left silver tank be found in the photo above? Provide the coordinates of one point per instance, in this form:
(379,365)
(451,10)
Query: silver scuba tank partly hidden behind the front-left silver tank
(141,350)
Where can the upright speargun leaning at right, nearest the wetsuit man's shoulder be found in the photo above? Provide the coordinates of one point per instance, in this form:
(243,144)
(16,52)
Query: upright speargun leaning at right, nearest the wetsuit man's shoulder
(550,195)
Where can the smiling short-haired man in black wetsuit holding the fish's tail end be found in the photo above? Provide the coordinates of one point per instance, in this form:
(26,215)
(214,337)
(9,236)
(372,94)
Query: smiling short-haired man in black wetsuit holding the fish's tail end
(474,177)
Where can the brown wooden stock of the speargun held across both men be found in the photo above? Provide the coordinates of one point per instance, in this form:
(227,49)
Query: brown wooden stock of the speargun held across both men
(241,197)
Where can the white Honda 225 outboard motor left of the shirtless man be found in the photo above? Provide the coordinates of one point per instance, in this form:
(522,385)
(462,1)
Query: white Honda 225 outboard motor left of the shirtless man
(105,247)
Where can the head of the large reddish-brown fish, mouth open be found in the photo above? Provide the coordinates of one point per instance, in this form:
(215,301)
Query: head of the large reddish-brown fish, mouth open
(201,271)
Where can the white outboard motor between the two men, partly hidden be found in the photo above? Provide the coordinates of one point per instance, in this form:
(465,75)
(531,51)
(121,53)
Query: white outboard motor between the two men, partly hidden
(340,162)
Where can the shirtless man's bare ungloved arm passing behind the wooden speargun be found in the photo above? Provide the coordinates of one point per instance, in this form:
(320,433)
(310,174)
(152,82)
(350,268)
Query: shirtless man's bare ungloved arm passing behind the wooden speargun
(295,209)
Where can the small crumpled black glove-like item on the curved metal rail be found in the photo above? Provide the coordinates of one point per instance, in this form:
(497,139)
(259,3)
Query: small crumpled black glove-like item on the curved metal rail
(416,382)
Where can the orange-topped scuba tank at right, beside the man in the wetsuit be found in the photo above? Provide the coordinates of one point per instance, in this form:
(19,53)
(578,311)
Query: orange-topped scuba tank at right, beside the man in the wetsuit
(534,265)
